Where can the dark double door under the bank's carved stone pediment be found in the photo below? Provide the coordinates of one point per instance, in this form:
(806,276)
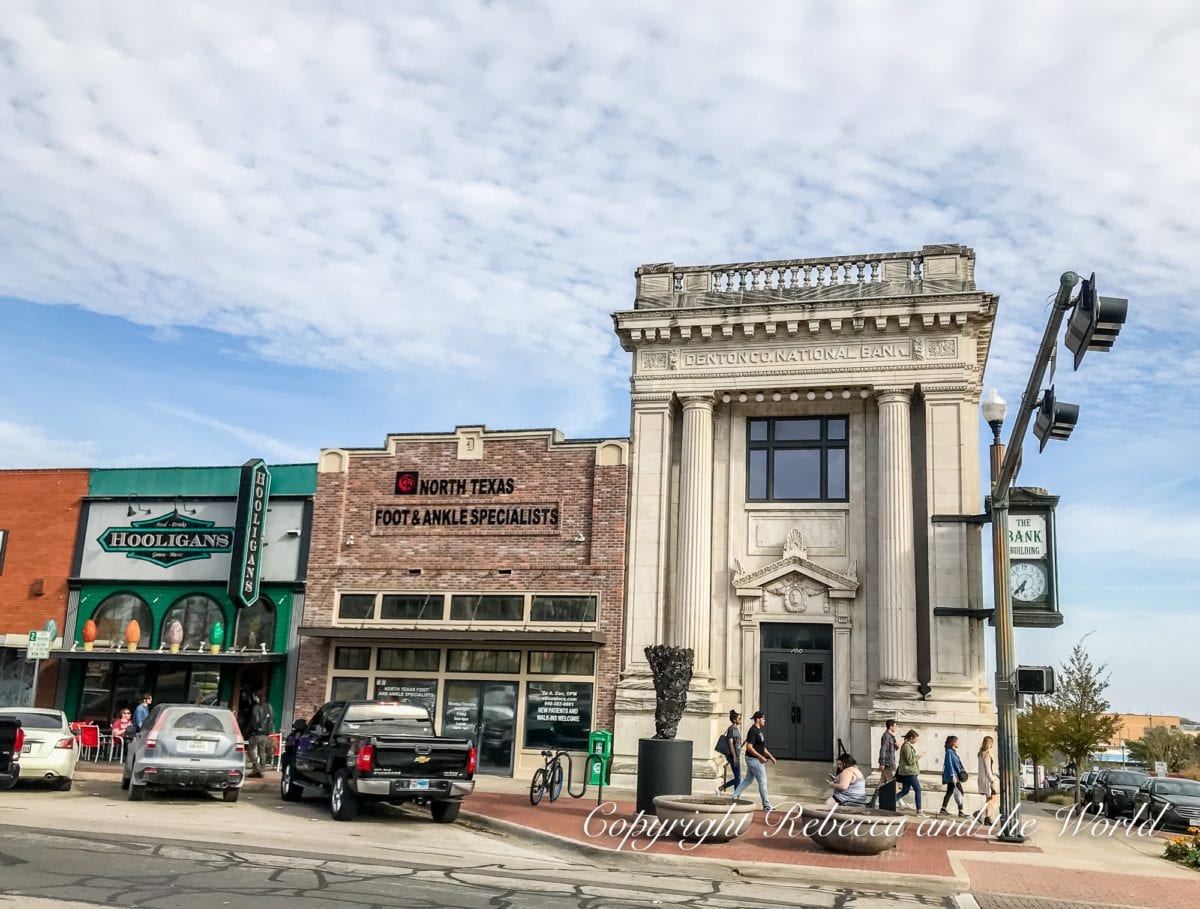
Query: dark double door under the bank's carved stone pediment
(797,699)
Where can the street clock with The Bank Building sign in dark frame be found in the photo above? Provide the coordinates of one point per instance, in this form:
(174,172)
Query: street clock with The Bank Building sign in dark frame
(1034,569)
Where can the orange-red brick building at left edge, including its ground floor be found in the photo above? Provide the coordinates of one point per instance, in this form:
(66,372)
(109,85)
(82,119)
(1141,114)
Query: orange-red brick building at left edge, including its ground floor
(39,519)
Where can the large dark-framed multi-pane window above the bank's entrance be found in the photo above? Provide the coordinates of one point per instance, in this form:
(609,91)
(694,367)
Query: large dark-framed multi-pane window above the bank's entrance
(797,459)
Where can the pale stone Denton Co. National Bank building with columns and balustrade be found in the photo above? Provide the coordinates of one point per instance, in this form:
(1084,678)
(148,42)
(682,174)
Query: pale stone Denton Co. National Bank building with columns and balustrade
(795,428)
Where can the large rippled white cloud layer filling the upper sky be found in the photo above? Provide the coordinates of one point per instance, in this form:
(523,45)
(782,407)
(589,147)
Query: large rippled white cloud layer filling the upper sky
(395,189)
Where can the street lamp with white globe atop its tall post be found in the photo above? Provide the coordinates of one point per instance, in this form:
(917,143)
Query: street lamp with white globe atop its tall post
(994,411)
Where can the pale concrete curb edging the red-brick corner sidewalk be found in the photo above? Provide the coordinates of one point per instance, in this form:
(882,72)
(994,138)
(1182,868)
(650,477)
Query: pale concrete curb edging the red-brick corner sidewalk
(806,875)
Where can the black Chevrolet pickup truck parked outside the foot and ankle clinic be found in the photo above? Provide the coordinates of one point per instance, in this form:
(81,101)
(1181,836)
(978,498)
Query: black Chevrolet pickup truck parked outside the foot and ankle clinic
(377,750)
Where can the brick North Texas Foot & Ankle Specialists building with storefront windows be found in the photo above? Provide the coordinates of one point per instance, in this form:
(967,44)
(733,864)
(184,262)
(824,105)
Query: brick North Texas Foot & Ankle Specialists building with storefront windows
(477,573)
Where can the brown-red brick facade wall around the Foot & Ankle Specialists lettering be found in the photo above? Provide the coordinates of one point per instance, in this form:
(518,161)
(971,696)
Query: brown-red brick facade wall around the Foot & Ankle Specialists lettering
(592,501)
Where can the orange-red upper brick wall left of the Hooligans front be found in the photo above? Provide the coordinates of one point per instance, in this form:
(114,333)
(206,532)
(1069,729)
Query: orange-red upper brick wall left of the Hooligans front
(40,509)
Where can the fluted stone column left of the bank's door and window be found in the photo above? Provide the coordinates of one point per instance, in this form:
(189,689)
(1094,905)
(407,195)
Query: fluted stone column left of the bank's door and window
(693,616)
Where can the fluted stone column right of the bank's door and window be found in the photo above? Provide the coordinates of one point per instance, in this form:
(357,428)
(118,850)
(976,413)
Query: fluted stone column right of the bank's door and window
(898,586)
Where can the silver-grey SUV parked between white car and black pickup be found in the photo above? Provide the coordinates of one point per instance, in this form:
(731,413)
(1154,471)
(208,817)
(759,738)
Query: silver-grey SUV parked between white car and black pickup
(183,747)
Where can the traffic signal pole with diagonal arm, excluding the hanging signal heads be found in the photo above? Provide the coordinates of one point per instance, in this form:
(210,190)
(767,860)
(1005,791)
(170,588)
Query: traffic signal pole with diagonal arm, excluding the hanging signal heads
(1004,469)
